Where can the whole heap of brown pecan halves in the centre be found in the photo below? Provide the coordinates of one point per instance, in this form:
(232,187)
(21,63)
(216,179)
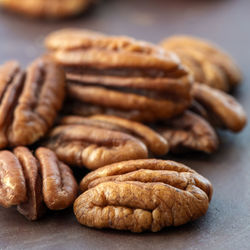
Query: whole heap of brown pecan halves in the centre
(107,104)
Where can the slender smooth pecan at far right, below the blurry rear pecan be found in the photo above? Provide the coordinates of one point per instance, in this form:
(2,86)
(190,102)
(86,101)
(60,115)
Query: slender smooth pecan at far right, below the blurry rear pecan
(223,110)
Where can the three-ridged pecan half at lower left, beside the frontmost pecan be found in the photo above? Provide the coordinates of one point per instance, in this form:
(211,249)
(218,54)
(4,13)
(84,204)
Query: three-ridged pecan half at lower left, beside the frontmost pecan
(35,182)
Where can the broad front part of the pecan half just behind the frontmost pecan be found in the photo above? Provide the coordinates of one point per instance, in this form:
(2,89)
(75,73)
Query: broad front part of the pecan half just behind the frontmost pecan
(94,146)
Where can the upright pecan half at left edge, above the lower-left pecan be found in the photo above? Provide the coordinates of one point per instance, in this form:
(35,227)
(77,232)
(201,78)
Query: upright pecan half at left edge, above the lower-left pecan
(29,101)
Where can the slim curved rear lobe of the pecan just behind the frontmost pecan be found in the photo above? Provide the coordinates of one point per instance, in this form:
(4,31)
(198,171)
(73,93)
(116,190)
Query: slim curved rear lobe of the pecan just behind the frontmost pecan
(154,141)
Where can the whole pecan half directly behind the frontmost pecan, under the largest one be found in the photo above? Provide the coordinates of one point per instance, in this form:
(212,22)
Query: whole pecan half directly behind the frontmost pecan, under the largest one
(100,140)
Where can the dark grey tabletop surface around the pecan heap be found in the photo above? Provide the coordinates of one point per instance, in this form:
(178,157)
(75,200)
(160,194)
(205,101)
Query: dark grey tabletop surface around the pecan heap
(227,223)
